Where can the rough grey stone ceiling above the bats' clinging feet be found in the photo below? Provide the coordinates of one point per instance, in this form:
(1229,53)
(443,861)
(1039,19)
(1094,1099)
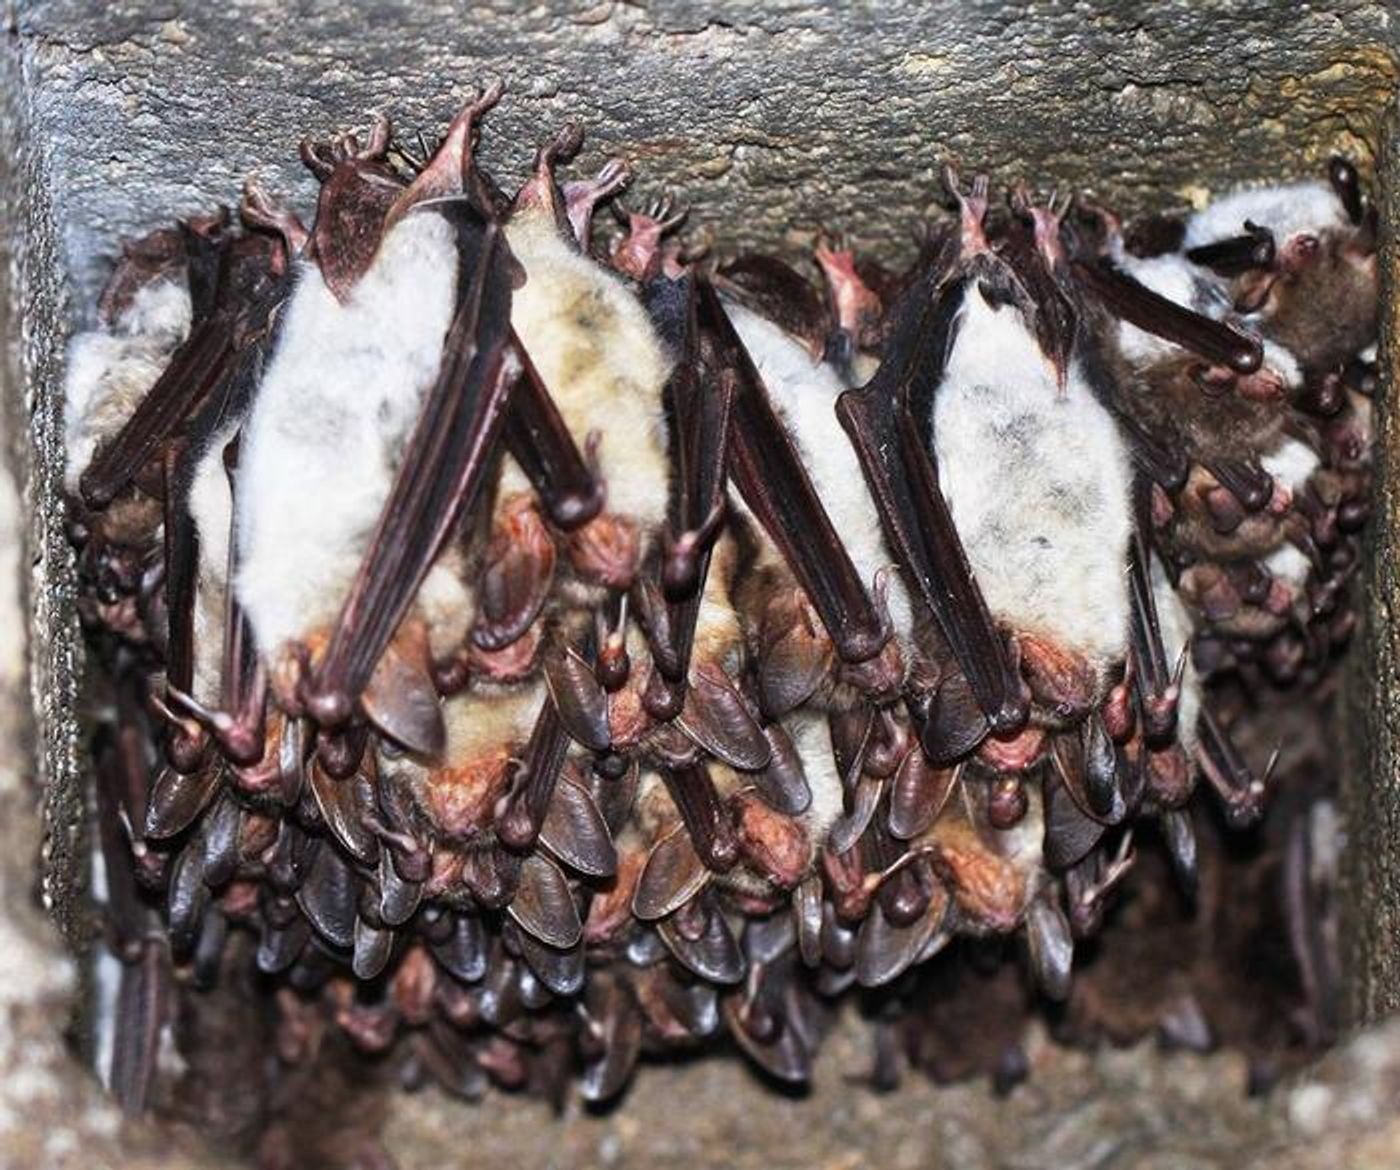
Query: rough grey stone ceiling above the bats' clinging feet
(771,117)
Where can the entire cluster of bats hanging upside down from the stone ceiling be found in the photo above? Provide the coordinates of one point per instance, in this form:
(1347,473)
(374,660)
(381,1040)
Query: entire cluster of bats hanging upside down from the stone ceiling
(530,654)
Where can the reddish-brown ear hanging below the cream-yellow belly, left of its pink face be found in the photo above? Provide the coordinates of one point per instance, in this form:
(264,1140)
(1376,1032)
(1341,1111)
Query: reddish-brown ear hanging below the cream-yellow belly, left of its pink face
(516,580)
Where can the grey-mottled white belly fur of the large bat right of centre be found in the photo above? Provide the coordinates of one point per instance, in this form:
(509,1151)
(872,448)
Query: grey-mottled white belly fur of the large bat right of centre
(1038,484)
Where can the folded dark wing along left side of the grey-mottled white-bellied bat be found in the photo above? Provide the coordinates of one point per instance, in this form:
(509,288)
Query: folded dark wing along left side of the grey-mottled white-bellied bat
(904,482)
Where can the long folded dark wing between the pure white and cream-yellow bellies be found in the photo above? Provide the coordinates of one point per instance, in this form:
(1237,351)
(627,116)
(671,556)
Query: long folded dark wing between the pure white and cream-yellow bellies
(439,481)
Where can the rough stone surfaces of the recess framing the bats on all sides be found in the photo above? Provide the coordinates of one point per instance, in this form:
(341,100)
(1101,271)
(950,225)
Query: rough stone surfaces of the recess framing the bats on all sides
(772,120)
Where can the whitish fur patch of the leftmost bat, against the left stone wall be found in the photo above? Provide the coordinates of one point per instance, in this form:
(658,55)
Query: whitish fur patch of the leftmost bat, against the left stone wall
(111,370)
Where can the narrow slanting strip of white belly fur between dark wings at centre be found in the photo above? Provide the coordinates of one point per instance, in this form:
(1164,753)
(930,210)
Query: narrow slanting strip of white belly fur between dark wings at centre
(804,393)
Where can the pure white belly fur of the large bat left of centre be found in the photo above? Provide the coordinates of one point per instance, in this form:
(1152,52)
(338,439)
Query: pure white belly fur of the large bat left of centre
(328,429)
